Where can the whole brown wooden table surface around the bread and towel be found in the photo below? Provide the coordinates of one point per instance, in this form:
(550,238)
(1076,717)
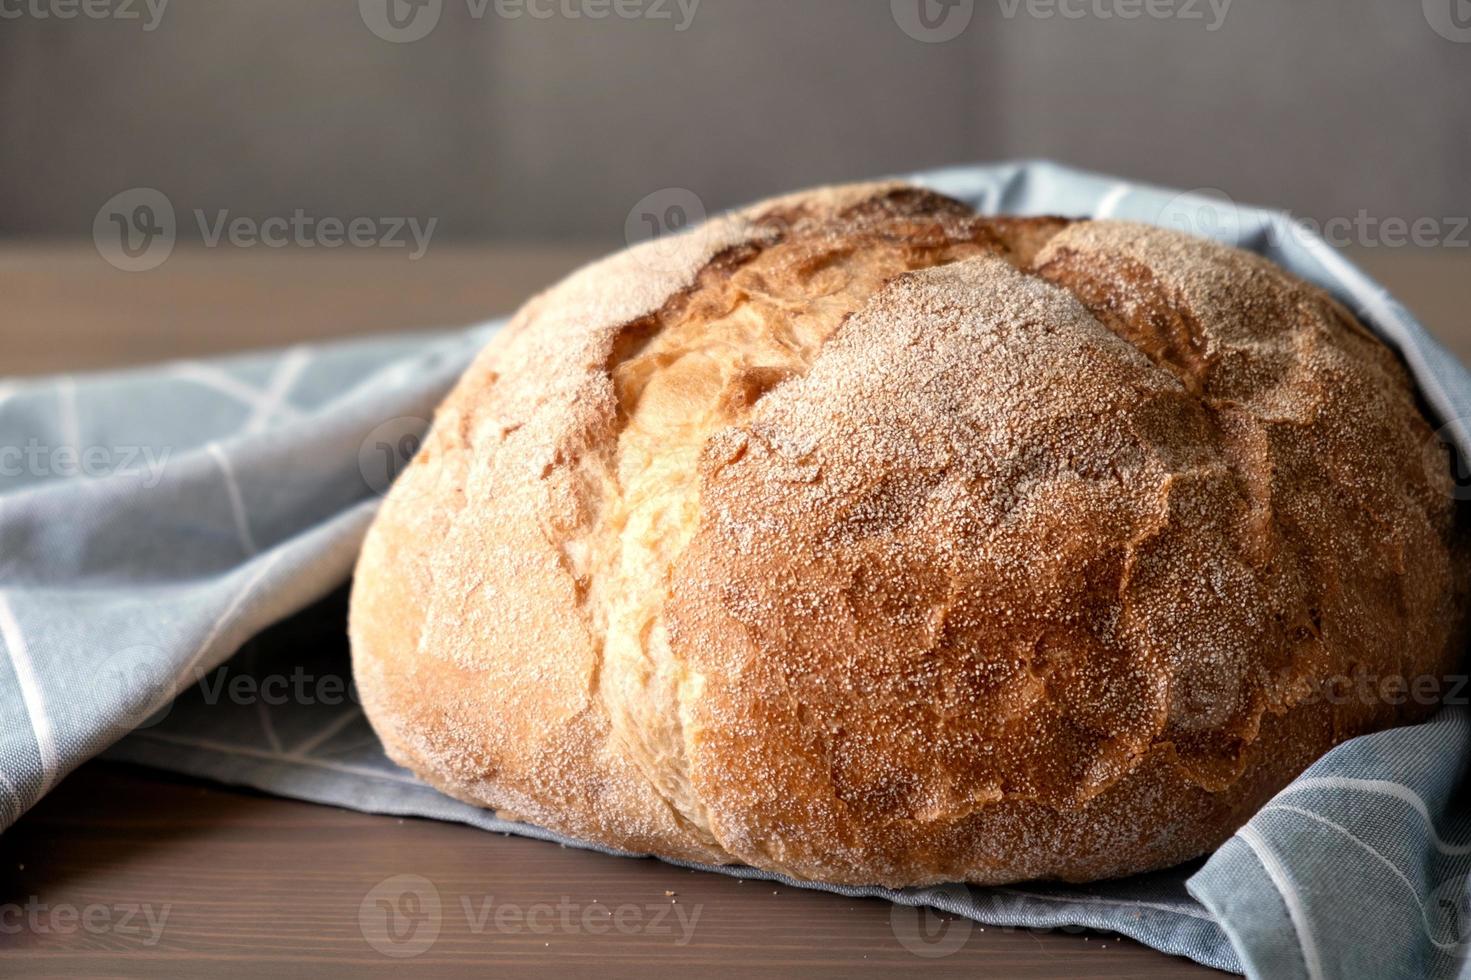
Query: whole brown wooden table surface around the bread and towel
(124,872)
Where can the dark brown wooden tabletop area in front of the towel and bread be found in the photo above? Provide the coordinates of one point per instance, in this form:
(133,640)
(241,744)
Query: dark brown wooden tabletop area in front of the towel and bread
(248,885)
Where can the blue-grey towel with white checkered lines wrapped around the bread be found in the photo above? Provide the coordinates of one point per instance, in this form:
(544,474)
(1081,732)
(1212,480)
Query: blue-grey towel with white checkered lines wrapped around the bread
(154,523)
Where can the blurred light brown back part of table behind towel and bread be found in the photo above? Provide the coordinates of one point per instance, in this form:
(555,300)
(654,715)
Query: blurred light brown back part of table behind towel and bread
(65,310)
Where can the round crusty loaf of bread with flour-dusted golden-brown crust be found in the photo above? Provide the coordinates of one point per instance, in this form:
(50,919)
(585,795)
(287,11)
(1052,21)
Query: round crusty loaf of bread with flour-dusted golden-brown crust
(867,541)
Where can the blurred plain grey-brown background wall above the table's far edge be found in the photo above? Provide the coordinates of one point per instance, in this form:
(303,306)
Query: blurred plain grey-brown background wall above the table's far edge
(520,127)
